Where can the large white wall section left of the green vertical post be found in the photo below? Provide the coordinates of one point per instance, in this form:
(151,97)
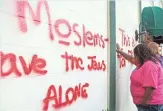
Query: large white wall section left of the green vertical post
(27,92)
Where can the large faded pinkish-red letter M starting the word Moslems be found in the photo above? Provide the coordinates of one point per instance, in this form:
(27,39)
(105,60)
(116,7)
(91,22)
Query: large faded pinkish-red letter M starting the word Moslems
(21,6)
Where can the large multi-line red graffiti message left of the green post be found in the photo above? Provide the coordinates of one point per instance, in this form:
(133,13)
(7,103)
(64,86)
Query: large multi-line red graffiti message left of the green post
(84,38)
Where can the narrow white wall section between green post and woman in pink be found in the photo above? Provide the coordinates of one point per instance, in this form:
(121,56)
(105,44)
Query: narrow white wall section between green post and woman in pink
(127,14)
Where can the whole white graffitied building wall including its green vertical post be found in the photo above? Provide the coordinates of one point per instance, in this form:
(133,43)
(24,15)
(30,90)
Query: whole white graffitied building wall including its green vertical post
(60,55)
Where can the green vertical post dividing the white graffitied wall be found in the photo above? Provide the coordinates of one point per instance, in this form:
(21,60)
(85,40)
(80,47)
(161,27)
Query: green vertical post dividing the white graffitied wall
(112,55)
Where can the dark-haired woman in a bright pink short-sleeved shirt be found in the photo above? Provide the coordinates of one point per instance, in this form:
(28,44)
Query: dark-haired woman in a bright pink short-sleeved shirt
(147,80)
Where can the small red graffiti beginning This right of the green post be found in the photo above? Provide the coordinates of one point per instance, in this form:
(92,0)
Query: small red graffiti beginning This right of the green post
(128,42)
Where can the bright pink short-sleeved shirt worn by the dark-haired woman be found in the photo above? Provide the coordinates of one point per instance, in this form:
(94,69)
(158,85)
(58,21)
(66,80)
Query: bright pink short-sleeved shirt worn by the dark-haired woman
(148,75)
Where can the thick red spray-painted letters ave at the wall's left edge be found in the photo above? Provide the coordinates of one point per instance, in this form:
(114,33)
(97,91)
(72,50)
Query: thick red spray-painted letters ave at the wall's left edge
(37,65)
